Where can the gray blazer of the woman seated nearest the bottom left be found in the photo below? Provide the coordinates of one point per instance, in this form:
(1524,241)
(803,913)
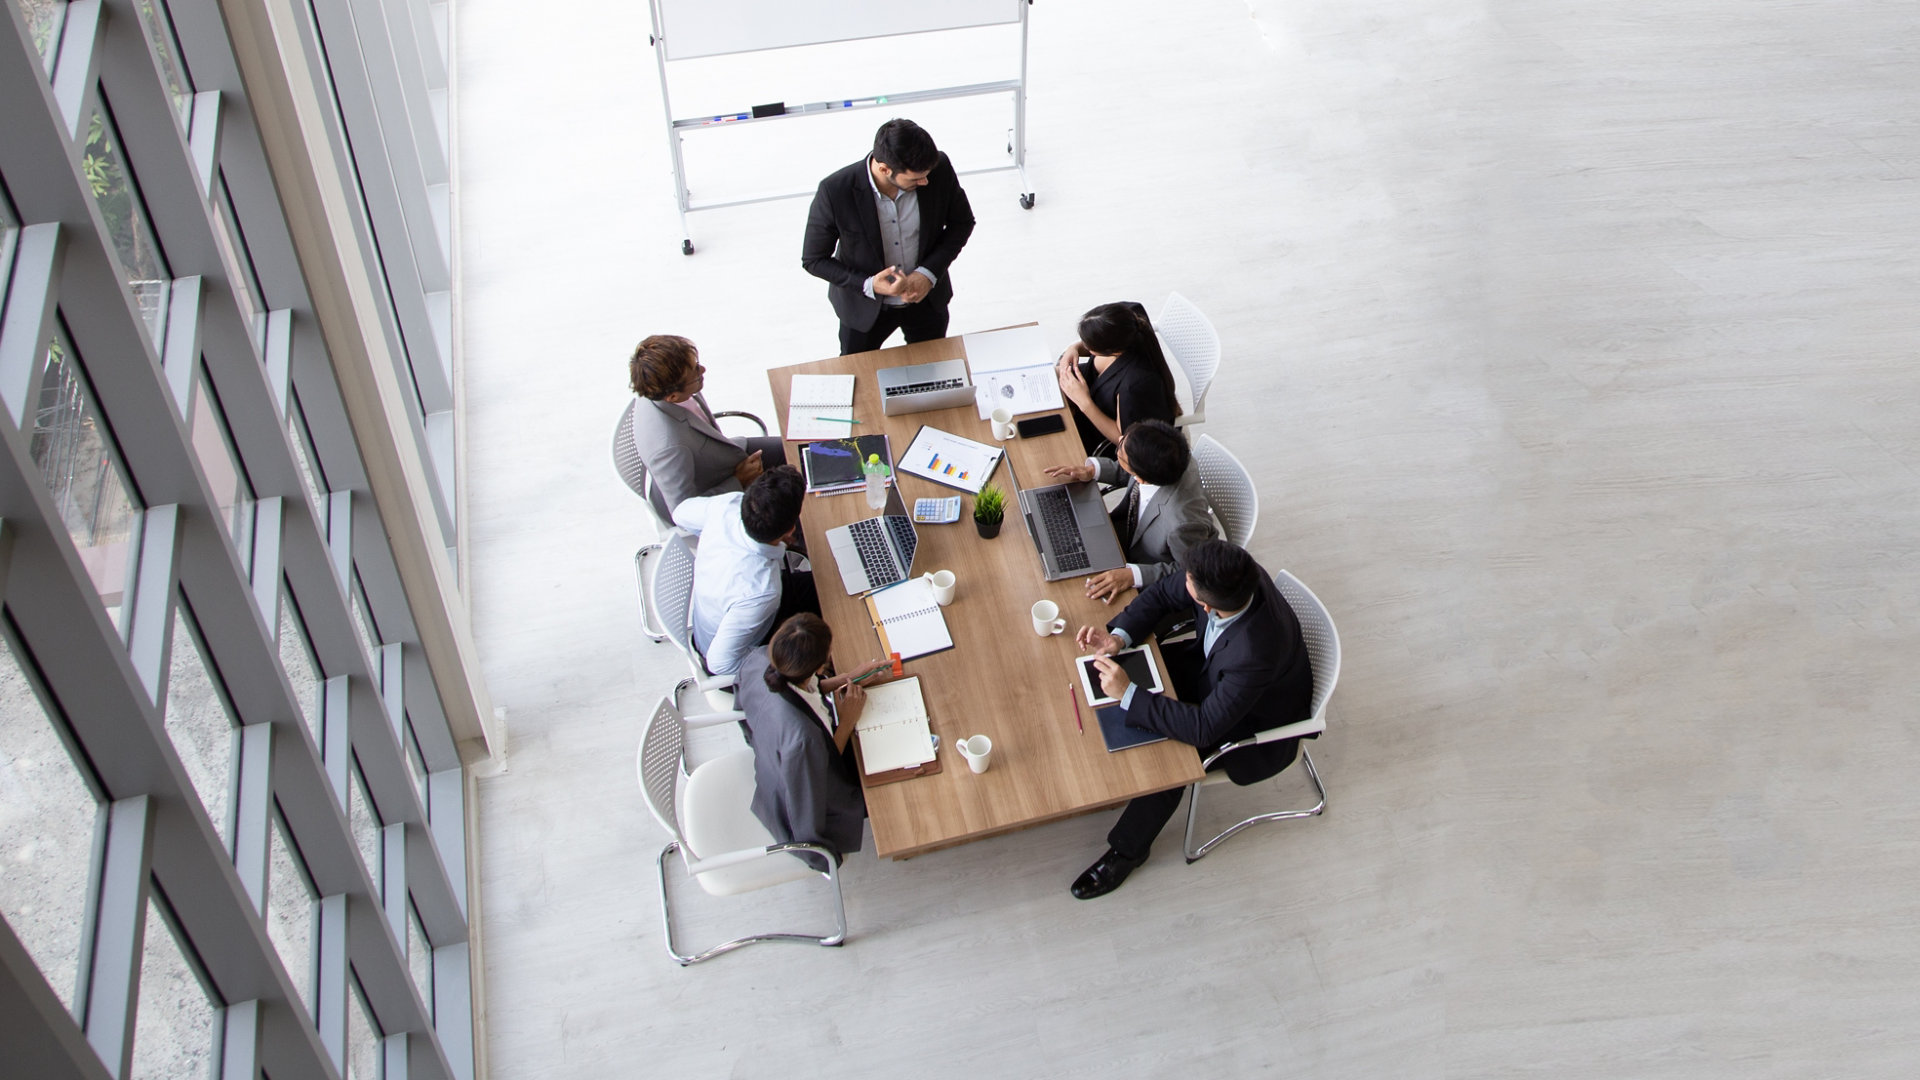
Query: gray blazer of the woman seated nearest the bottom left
(805,791)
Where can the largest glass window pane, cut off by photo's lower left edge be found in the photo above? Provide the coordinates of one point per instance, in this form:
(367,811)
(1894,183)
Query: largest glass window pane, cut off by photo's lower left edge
(47,833)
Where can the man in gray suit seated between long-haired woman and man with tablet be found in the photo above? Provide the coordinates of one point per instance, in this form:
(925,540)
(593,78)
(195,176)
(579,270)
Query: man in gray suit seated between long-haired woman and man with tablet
(1163,514)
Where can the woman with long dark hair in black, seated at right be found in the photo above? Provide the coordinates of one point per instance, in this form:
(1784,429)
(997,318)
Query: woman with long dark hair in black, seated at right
(1116,376)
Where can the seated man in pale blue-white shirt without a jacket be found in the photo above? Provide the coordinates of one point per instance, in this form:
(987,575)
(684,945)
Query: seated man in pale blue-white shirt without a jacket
(742,585)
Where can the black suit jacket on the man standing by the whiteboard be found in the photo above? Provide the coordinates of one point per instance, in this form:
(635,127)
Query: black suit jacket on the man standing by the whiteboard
(842,243)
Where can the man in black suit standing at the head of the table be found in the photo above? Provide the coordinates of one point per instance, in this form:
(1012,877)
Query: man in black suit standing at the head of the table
(882,235)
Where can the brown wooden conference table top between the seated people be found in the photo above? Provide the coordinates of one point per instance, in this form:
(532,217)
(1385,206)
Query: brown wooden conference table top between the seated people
(999,679)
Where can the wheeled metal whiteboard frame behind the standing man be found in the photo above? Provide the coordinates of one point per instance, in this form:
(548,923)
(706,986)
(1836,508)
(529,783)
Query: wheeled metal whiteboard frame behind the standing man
(677,126)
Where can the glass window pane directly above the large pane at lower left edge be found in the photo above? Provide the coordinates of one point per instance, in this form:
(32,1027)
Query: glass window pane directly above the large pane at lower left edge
(82,468)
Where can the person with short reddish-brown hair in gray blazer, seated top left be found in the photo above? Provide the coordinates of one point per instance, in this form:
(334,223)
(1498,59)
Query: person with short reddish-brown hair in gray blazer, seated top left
(677,435)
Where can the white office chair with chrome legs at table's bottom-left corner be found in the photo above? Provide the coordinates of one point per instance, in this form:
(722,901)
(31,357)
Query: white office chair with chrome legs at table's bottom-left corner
(709,816)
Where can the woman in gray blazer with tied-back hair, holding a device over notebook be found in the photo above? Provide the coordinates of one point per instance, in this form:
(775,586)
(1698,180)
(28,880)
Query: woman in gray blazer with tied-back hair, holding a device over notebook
(800,724)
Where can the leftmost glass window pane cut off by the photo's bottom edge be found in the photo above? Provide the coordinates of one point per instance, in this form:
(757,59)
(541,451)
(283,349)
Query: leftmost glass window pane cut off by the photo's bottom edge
(178,1027)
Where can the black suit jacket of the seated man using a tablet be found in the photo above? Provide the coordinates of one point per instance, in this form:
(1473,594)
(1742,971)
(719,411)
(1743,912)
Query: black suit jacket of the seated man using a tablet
(1257,679)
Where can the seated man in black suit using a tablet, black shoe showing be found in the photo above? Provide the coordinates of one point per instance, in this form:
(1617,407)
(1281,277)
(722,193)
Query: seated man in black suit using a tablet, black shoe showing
(1247,672)
